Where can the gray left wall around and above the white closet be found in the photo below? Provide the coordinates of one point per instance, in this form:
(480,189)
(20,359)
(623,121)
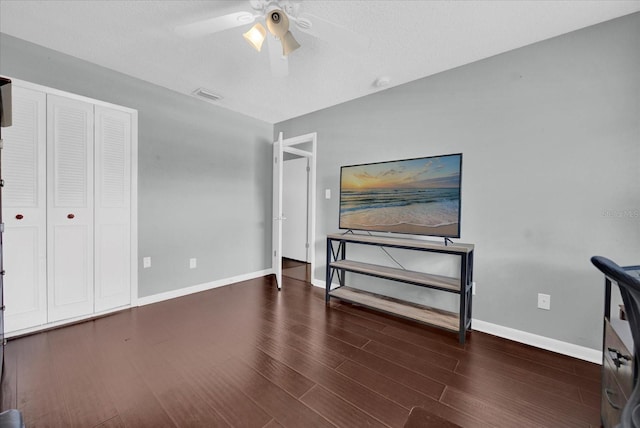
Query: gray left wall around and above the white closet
(204,173)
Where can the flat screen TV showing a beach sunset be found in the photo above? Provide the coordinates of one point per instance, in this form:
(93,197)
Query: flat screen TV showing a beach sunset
(412,196)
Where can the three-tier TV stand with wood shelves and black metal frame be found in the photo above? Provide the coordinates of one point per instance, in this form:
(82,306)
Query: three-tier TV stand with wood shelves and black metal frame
(338,265)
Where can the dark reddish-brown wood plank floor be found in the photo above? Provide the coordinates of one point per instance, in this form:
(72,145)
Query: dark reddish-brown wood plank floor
(246,355)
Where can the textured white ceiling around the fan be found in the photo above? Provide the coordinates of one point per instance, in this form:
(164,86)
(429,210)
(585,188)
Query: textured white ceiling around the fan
(409,40)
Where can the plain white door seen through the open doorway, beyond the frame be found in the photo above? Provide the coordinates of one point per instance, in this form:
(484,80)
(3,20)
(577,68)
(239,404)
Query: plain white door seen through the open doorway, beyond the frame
(294,207)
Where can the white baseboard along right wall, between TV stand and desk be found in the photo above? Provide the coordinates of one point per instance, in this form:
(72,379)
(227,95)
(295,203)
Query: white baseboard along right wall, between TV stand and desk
(565,348)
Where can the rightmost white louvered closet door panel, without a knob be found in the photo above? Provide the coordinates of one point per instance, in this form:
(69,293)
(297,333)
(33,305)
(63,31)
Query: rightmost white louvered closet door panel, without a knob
(112,208)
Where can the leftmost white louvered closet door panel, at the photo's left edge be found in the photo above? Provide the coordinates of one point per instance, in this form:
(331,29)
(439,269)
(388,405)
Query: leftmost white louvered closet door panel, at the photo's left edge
(24,206)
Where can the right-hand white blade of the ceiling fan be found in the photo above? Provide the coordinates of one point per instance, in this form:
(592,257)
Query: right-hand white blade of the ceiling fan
(331,32)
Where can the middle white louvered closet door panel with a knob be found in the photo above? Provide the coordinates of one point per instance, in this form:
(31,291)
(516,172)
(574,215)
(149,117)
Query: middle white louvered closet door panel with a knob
(70,207)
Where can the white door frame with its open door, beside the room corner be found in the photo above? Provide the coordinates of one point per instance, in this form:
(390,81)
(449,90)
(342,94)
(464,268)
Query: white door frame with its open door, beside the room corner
(281,146)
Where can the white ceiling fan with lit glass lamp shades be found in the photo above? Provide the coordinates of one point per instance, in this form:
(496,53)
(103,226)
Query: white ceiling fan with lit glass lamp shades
(277,16)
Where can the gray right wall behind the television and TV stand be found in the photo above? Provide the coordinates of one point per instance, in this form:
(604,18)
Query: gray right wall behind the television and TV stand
(551,172)
